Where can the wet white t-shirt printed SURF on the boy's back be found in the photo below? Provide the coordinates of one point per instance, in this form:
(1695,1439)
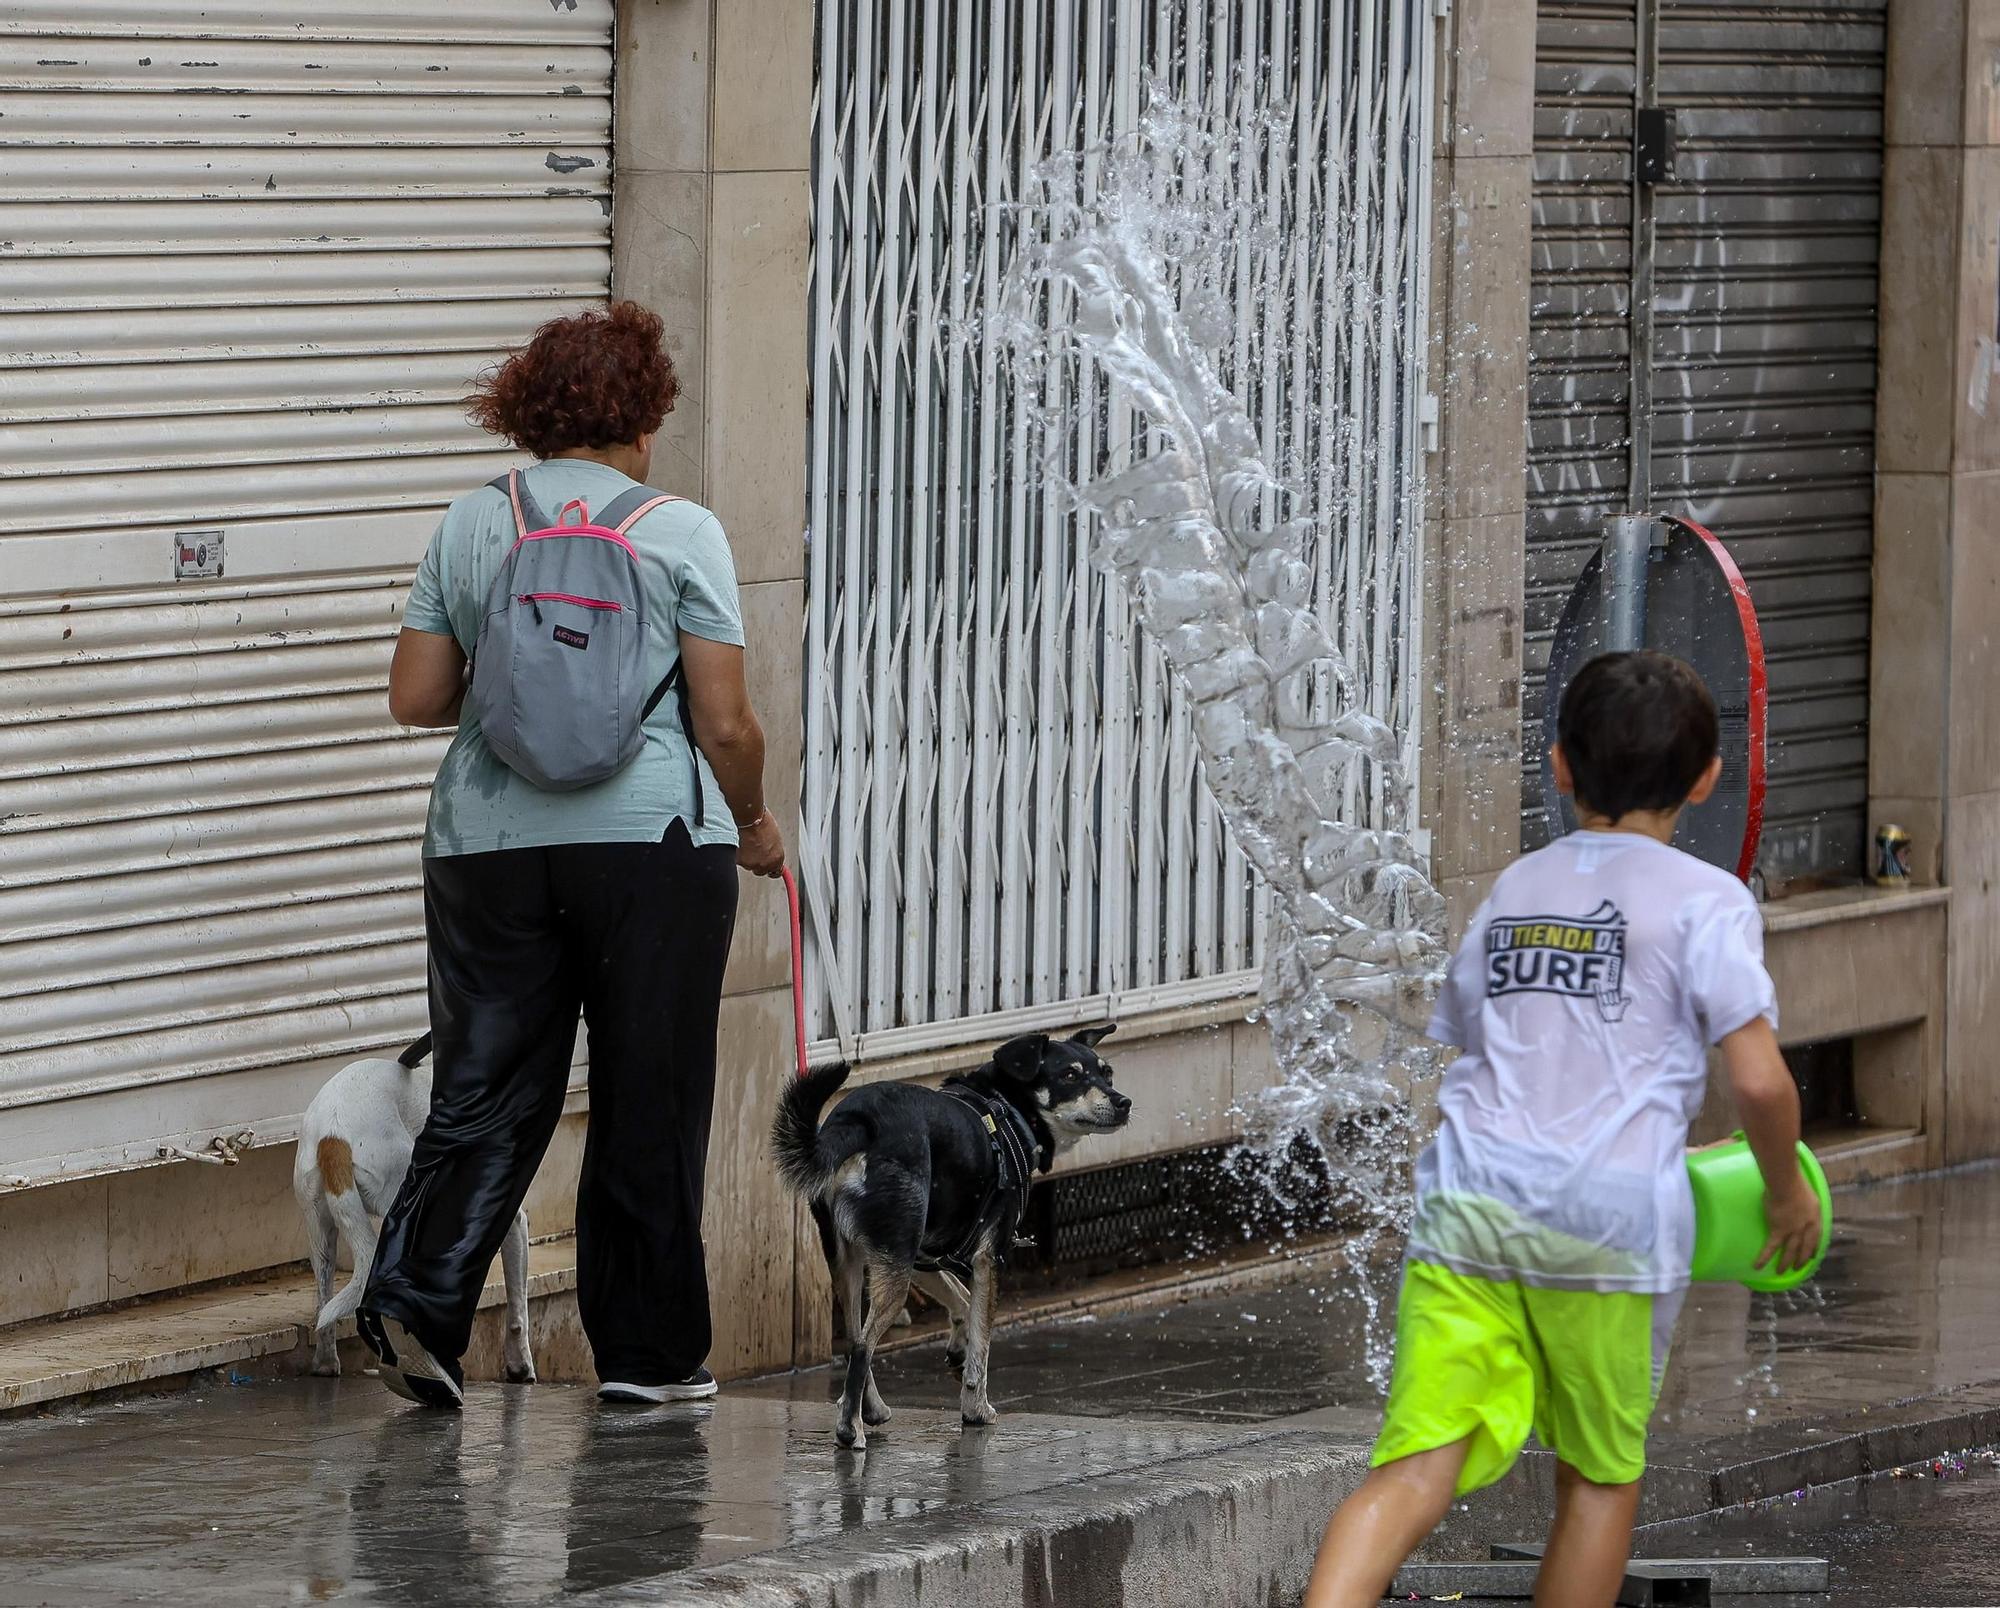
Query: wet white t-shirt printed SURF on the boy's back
(1583,1001)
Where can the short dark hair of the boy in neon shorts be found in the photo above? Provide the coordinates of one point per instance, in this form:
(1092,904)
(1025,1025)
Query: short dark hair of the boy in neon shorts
(1639,731)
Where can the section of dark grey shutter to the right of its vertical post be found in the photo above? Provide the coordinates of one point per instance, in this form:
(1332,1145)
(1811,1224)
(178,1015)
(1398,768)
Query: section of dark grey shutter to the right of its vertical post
(1765,371)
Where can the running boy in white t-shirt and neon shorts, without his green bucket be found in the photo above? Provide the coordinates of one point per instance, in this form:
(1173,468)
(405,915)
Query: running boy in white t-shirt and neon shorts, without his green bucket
(1553,1233)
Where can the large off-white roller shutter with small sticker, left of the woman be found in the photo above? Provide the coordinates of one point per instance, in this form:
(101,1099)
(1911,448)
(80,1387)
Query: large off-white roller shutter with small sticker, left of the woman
(249,267)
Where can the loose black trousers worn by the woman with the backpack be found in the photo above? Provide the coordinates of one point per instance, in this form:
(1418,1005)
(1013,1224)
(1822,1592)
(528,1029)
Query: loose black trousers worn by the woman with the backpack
(635,937)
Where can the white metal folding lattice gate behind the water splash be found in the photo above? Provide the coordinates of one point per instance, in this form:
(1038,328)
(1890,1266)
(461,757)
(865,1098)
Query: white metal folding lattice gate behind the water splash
(1003,807)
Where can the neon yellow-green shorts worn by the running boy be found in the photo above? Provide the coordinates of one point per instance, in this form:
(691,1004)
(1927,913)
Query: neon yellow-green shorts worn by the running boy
(1487,1361)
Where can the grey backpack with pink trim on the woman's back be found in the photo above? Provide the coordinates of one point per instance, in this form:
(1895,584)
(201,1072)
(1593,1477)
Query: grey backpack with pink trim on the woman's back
(559,671)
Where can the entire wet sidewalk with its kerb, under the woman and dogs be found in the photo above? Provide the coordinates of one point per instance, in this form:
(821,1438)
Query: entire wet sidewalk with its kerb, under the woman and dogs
(1181,1457)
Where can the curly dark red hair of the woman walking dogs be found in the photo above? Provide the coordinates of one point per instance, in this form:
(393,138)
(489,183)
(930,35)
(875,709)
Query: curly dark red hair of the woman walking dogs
(597,379)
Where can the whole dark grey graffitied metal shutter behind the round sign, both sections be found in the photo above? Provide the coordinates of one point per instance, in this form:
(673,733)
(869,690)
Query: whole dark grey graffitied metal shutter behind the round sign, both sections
(1759,393)
